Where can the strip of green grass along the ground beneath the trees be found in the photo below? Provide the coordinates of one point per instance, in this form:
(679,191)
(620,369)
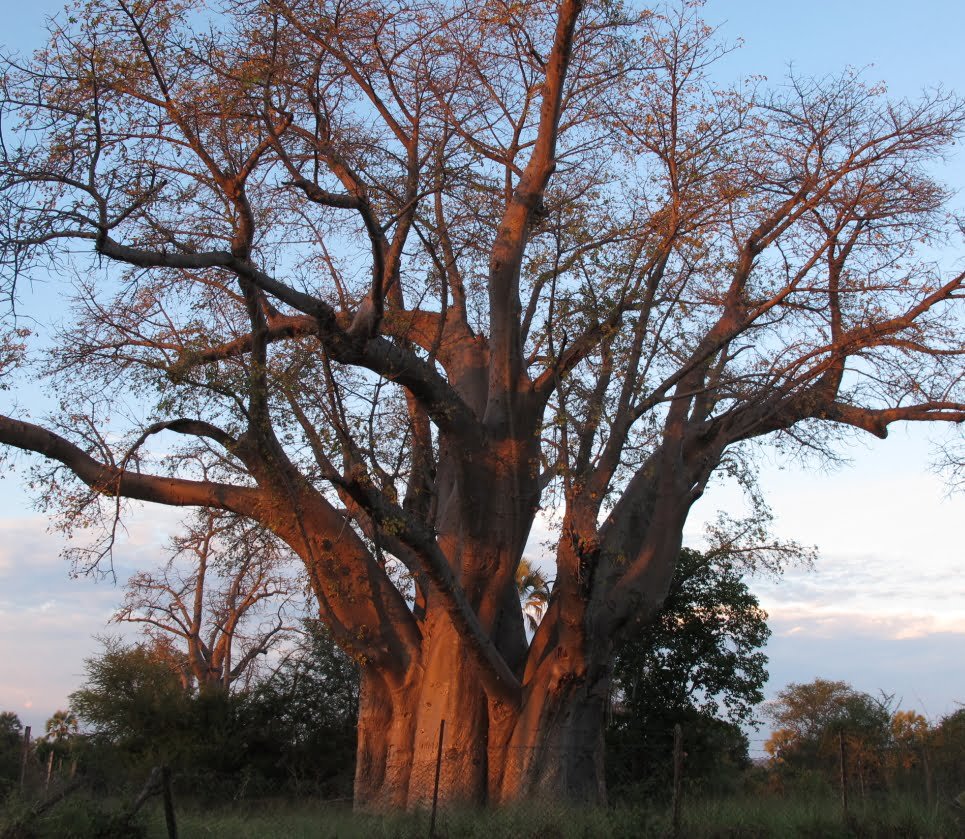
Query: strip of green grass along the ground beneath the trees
(736,817)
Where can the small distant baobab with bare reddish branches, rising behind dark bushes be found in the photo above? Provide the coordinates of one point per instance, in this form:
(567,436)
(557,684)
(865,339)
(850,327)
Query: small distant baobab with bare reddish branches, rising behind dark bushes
(222,600)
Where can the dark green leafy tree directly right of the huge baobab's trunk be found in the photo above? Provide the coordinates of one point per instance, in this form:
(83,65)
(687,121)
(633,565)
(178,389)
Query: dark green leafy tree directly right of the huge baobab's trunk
(700,664)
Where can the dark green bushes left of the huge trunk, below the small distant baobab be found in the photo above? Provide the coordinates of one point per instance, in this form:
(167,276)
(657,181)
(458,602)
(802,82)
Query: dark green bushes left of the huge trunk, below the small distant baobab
(293,731)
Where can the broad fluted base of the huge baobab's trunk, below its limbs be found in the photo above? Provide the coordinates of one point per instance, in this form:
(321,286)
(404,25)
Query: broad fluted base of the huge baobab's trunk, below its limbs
(550,748)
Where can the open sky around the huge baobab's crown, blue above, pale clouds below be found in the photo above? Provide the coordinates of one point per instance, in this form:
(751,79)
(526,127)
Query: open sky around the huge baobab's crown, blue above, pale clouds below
(884,606)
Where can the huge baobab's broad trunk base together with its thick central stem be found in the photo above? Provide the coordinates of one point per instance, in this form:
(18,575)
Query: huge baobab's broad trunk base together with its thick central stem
(549,742)
